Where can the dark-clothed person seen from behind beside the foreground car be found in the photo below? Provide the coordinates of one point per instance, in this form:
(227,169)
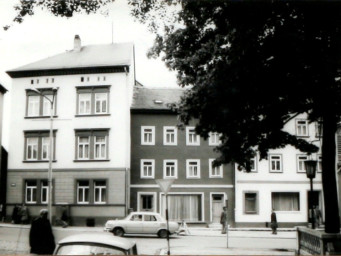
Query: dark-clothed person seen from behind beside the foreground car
(41,235)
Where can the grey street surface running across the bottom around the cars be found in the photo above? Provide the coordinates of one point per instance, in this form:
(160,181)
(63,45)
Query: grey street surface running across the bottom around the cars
(14,240)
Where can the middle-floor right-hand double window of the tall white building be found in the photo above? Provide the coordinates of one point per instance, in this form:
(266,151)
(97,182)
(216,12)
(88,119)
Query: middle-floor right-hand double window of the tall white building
(92,144)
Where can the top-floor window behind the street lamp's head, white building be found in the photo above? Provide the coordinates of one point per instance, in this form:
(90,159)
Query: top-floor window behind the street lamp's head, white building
(39,105)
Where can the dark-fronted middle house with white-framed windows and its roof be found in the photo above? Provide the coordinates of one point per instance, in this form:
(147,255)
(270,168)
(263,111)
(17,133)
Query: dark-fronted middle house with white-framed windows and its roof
(160,150)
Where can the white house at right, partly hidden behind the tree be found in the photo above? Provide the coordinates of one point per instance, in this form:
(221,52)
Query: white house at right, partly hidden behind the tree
(280,183)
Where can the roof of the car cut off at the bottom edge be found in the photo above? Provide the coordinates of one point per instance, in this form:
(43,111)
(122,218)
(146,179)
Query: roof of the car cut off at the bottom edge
(98,238)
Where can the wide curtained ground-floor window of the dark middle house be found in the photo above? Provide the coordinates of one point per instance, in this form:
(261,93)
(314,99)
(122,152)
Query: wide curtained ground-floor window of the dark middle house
(183,207)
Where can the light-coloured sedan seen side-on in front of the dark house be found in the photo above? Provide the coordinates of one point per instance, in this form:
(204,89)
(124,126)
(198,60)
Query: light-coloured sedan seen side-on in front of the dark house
(141,223)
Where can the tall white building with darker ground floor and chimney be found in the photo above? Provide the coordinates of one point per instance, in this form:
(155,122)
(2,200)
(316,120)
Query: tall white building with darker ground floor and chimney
(91,87)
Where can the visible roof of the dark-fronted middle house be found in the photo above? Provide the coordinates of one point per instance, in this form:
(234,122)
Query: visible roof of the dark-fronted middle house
(154,99)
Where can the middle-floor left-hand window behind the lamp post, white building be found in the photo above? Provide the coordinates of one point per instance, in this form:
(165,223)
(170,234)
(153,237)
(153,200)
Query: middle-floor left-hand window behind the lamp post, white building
(37,145)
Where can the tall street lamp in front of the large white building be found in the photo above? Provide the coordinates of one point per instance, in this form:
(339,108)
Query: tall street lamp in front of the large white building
(54,89)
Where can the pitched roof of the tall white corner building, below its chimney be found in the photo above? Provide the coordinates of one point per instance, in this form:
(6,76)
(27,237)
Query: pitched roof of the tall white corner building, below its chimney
(92,56)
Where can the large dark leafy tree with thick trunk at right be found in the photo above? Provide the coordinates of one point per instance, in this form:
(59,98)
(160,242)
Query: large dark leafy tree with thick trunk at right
(252,66)
